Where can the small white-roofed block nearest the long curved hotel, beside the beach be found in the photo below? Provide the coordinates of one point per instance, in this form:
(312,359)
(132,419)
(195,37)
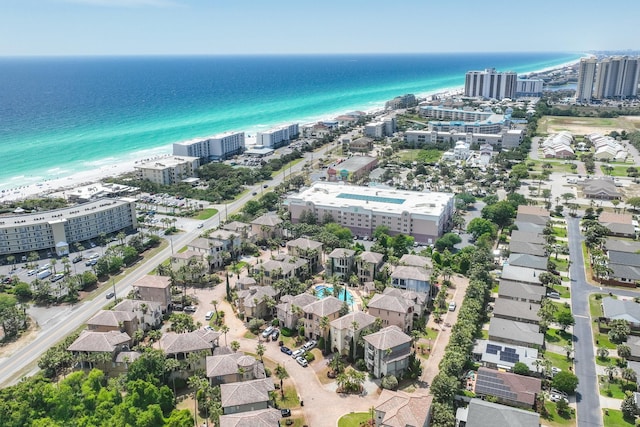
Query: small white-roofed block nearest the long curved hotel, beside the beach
(168,170)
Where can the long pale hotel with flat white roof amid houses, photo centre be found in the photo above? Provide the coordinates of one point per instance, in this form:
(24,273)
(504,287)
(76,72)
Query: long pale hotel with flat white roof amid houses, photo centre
(423,215)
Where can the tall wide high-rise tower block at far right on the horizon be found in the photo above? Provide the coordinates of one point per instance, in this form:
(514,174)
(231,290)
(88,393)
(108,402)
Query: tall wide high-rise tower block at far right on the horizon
(617,77)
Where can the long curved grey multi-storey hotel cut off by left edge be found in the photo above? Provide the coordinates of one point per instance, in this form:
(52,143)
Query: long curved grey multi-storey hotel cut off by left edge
(57,229)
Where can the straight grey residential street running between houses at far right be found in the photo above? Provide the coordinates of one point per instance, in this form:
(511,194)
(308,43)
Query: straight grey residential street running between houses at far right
(587,395)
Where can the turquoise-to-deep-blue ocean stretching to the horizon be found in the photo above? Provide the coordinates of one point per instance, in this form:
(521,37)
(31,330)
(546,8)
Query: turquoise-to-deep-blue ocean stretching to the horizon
(59,116)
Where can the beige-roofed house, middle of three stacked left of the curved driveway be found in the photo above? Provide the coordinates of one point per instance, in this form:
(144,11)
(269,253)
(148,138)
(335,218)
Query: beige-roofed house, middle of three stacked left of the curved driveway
(246,396)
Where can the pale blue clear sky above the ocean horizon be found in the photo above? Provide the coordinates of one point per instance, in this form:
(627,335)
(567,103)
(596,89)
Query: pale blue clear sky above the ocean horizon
(223,27)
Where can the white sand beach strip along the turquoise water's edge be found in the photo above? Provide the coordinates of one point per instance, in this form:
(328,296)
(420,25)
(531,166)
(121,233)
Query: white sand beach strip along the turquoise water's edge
(116,166)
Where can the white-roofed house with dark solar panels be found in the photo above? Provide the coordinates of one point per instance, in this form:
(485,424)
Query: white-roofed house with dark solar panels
(495,355)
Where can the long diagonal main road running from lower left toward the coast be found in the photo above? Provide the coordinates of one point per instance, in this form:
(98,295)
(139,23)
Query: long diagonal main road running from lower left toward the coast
(22,361)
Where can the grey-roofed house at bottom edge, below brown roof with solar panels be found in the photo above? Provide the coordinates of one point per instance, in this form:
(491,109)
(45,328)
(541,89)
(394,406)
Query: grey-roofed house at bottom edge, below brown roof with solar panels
(481,413)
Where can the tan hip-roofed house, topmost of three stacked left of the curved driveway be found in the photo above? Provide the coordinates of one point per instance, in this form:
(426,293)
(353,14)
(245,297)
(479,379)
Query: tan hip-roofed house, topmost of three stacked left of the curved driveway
(233,367)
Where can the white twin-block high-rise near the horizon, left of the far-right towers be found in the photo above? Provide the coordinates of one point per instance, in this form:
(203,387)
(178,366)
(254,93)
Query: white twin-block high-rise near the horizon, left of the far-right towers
(490,84)
